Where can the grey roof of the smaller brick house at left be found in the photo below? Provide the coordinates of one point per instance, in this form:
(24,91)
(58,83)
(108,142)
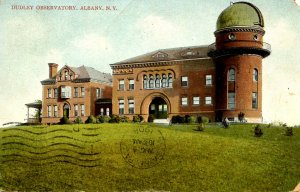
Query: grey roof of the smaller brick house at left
(84,73)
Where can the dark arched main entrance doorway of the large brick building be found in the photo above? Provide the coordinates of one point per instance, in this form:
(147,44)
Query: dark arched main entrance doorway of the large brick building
(158,108)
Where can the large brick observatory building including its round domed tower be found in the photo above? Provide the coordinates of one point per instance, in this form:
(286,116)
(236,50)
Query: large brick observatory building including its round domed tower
(220,80)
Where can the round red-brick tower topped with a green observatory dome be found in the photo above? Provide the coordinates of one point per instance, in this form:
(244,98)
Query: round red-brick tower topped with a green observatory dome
(238,53)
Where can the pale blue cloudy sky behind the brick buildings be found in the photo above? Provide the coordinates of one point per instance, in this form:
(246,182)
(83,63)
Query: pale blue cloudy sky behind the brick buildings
(30,39)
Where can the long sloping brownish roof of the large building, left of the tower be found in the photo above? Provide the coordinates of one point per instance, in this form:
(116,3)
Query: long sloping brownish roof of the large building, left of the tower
(170,54)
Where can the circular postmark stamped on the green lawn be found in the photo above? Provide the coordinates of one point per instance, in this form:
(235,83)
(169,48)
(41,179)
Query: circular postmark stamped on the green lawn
(143,148)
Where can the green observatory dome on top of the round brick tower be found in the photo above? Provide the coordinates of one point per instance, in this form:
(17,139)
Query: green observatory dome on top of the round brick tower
(240,14)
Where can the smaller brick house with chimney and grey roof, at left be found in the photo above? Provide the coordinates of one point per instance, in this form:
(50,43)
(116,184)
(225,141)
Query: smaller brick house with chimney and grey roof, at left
(75,92)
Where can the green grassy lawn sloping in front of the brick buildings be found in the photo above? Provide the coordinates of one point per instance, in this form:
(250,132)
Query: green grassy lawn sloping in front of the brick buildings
(92,158)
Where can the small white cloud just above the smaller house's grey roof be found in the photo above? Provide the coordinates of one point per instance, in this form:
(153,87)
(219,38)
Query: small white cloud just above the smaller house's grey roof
(92,44)
